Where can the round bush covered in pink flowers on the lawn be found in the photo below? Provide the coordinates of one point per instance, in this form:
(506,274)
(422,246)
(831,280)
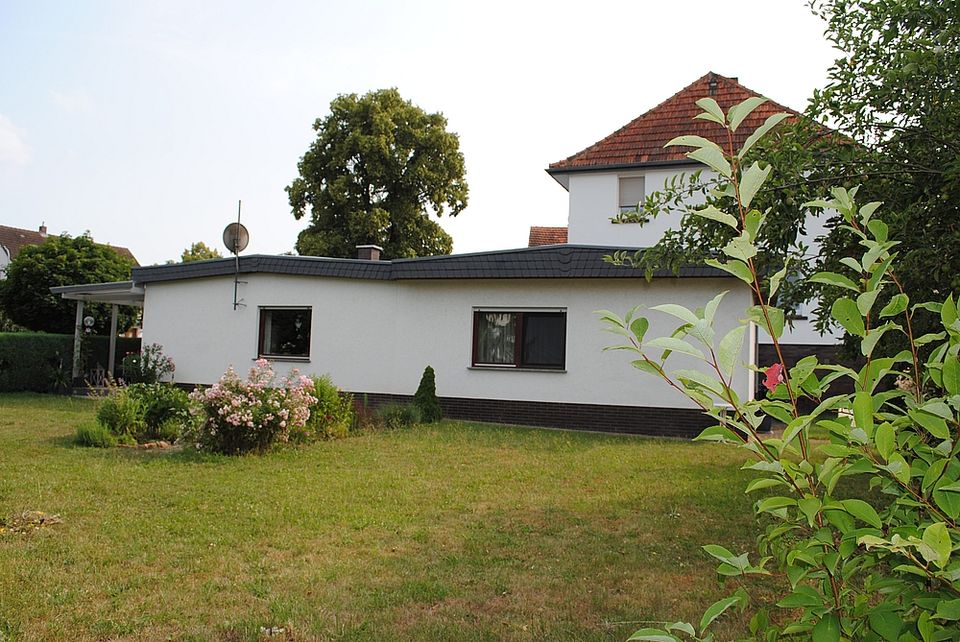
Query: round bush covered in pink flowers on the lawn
(240,415)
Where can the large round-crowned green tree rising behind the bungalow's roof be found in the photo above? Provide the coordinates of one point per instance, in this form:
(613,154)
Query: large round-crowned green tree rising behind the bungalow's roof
(379,168)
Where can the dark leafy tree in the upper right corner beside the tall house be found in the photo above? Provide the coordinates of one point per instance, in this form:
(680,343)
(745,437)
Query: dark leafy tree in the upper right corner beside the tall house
(893,99)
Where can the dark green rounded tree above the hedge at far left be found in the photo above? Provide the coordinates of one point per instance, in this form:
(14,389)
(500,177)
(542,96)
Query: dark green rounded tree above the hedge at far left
(25,295)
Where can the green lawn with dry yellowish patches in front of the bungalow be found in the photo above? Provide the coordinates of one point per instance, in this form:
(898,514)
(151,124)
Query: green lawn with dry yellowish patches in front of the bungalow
(448,532)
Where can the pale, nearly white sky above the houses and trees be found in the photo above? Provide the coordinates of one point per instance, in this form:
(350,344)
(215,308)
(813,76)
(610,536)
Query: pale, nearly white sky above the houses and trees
(145,122)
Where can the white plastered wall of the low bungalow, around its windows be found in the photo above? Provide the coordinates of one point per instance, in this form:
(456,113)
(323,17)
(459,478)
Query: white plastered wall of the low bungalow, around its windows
(377,336)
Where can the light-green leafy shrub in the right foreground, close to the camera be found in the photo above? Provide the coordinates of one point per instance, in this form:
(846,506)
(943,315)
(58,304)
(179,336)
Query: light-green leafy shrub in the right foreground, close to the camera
(851,567)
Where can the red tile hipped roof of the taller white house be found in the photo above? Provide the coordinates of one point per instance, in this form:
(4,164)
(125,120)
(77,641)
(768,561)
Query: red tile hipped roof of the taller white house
(642,140)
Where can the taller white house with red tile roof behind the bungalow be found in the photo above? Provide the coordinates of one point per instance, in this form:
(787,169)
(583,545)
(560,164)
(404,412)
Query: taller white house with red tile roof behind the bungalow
(618,172)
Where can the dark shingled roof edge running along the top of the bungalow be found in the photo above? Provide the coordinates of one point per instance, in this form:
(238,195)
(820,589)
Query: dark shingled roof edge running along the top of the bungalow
(547,261)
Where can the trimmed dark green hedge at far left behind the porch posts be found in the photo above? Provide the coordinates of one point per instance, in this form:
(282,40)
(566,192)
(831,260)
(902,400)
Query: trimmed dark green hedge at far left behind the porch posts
(39,362)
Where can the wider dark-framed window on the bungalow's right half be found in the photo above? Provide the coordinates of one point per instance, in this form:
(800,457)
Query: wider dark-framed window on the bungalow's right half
(527,339)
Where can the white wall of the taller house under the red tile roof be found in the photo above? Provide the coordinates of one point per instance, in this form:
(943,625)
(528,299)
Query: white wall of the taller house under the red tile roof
(594,199)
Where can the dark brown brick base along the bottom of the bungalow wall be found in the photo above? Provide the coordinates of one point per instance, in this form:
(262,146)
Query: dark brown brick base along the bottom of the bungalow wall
(635,420)
